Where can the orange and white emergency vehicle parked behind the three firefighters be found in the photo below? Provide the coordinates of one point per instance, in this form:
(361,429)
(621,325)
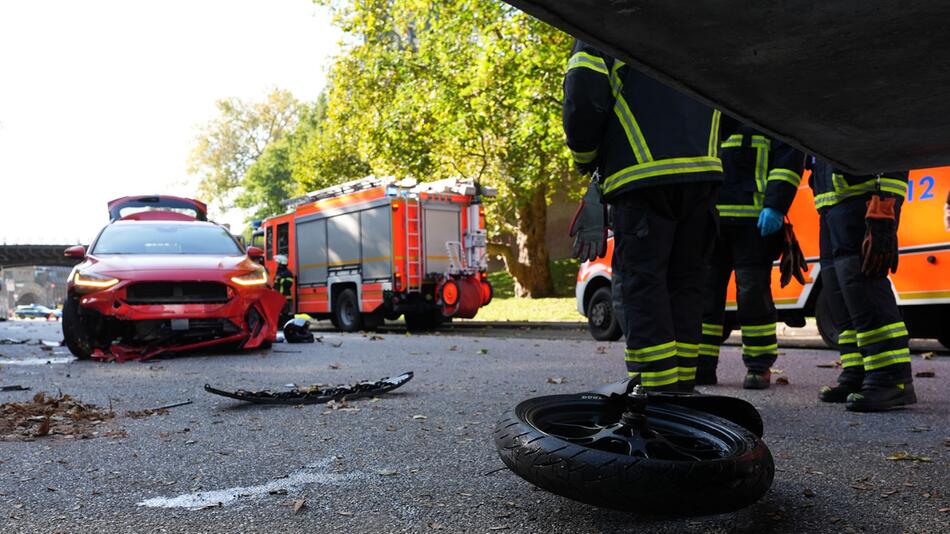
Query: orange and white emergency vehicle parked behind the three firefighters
(921,283)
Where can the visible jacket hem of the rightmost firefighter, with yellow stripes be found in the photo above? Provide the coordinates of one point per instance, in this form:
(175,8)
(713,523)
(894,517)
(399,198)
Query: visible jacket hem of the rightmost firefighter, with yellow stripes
(832,186)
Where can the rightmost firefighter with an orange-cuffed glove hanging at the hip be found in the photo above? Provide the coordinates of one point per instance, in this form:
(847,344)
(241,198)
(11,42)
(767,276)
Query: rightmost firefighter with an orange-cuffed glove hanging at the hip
(858,220)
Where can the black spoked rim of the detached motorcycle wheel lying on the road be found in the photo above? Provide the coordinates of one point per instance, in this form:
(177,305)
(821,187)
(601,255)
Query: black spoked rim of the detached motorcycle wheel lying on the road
(674,434)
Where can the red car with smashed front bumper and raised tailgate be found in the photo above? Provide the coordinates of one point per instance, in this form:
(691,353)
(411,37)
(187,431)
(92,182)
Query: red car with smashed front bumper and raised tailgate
(160,278)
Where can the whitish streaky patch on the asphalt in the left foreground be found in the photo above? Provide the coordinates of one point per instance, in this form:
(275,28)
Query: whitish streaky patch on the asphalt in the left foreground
(224,497)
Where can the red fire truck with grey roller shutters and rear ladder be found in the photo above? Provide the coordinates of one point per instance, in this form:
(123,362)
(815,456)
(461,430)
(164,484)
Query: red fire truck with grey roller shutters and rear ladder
(377,248)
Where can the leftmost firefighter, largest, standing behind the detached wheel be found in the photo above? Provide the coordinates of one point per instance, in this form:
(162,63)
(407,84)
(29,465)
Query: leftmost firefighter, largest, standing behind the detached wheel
(656,156)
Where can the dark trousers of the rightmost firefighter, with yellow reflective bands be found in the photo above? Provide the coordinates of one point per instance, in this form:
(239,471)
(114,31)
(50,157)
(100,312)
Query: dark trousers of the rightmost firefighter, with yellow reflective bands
(872,336)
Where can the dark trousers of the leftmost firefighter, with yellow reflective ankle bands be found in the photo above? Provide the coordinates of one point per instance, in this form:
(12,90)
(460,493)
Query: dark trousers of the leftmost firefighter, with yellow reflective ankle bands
(663,236)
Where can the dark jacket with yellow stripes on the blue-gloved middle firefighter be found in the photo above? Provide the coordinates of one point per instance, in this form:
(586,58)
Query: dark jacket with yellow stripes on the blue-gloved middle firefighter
(759,173)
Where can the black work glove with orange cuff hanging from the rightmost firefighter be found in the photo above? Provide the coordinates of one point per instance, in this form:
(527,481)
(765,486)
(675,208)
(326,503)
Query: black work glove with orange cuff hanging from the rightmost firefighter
(879,249)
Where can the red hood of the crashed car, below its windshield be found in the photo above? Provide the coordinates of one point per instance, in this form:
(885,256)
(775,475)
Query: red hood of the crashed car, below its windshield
(179,262)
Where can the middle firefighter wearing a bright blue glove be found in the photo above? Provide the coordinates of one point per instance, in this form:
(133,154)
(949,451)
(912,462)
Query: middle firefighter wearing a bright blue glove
(761,178)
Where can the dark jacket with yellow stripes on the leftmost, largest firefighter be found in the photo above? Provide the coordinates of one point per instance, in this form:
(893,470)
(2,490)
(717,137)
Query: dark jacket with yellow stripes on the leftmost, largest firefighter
(637,131)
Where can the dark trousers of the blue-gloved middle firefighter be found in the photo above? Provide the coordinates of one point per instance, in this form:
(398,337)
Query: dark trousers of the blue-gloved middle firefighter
(741,248)
